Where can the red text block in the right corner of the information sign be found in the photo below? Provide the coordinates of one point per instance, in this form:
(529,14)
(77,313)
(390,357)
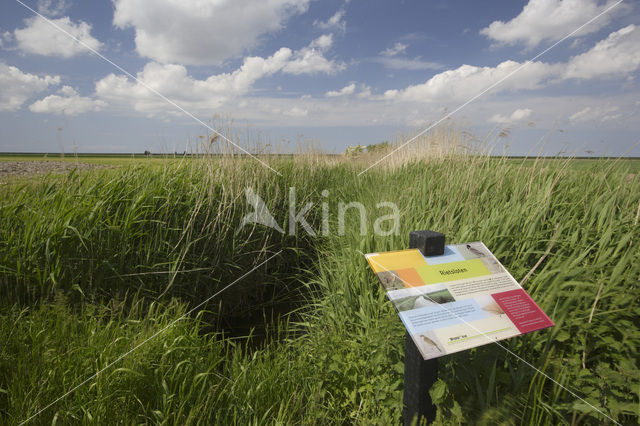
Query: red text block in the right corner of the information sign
(522,310)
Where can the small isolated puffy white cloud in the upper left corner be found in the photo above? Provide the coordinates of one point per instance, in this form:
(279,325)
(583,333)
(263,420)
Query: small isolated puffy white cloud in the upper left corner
(41,38)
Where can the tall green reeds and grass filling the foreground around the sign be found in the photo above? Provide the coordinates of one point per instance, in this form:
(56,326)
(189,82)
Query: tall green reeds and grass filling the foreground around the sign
(94,264)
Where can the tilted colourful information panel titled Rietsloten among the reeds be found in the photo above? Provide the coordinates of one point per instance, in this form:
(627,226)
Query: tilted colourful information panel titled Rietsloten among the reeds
(462,299)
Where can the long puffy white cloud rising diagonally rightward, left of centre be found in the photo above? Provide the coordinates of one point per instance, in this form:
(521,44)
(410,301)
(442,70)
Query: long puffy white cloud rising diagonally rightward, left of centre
(173,81)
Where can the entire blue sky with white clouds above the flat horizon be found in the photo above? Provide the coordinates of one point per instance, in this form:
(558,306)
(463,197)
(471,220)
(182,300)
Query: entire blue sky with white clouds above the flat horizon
(329,73)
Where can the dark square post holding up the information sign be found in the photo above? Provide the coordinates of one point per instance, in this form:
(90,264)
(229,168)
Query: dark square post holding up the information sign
(420,375)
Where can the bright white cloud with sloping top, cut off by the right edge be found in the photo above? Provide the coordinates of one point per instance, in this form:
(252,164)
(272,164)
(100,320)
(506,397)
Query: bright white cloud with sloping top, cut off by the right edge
(616,55)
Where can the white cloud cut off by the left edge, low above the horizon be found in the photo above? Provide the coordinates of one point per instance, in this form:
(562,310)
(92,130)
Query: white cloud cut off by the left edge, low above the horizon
(17,87)
